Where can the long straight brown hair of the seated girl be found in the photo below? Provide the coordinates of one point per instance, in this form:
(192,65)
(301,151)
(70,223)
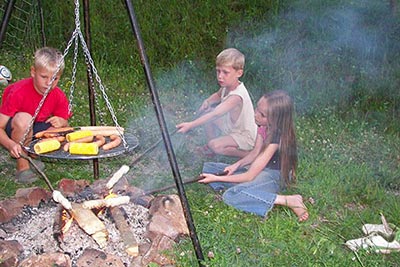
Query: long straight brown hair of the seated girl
(280,115)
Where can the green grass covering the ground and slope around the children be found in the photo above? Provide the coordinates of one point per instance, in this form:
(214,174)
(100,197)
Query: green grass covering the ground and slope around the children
(346,95)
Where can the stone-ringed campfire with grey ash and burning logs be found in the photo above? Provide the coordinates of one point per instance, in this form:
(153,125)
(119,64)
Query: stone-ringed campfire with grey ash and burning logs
(107,223)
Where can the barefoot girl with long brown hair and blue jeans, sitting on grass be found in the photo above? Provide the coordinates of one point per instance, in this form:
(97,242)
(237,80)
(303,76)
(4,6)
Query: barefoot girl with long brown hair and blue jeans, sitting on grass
(272,163)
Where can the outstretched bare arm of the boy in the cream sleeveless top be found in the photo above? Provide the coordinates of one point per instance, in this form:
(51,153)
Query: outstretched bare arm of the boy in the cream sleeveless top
(226,106)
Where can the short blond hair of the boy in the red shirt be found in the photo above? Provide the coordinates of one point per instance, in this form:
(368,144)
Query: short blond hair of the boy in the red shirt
(49,58)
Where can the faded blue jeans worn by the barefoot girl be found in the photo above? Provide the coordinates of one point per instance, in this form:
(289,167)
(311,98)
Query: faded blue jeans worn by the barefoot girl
(257,196)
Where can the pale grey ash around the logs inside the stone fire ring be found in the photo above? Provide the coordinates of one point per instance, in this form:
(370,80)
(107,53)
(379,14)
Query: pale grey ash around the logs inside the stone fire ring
(33,229)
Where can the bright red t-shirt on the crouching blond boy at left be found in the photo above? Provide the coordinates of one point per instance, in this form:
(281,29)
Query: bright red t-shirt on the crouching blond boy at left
(22,97)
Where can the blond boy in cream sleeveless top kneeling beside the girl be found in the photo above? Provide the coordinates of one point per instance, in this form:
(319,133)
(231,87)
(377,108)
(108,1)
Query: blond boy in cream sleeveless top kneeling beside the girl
(228,111)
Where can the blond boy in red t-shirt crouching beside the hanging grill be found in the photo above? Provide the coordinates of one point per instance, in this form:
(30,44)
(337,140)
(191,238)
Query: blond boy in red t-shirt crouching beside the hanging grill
(20,102)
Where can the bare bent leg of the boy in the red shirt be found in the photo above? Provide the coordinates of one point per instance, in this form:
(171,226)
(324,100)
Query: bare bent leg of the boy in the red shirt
(19,125)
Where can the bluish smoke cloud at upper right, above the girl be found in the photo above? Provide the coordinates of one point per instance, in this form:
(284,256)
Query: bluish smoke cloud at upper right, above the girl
(323,53)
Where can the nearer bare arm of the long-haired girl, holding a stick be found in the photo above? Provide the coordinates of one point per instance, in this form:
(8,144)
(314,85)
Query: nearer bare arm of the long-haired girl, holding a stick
(256,167)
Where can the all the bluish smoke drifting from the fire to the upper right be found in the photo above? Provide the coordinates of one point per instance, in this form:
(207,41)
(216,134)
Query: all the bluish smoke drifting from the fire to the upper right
(323,53)
